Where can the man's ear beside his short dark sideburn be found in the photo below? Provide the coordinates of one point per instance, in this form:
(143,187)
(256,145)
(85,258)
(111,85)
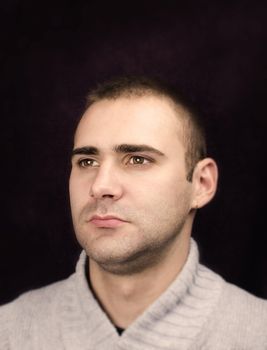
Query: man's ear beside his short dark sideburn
(204,180)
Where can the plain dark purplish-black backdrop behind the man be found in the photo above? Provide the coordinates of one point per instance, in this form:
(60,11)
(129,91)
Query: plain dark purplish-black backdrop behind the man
(53,52)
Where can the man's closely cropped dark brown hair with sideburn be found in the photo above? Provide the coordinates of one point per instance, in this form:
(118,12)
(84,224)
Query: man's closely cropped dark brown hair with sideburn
(139,86)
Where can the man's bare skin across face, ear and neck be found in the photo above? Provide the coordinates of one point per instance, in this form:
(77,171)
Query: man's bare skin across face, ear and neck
(147,190)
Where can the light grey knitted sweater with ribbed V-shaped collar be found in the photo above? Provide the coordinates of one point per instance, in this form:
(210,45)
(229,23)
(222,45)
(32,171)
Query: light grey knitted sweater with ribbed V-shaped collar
(198,311)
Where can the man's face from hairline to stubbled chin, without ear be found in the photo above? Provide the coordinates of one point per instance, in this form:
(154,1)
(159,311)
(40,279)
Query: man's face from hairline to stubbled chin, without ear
(130,199)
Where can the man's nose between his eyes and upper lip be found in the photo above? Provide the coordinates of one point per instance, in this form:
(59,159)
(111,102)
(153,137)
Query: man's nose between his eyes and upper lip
(106,183)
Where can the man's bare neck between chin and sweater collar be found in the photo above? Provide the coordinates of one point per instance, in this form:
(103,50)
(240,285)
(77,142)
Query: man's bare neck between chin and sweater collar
(125,297)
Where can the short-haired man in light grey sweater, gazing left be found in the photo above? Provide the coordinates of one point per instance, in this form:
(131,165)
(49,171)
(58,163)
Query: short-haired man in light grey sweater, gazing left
(139,173)
